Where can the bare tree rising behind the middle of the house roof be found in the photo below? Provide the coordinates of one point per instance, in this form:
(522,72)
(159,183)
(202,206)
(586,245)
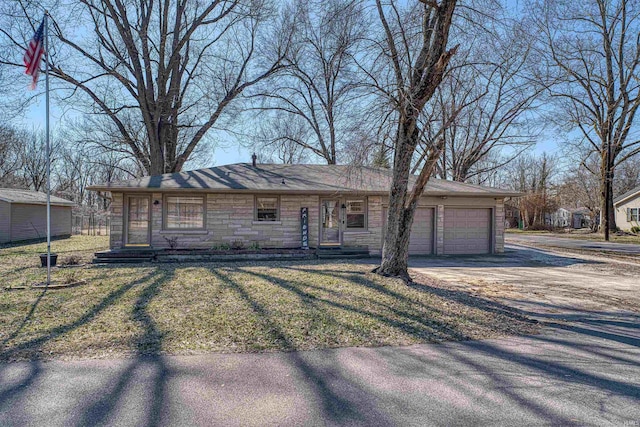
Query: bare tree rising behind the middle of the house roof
(314,103)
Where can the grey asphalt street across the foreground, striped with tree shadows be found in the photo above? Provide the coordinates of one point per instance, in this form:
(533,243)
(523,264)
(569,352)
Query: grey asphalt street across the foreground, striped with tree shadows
(587,375)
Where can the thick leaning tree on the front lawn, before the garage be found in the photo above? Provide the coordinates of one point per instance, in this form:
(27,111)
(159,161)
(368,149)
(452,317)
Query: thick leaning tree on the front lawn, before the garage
(417,67)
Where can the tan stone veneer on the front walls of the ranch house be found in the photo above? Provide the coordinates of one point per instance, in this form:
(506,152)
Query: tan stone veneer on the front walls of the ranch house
(230,219)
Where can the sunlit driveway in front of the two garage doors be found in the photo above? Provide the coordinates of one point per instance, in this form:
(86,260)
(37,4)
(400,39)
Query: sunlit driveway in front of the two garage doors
(542,282)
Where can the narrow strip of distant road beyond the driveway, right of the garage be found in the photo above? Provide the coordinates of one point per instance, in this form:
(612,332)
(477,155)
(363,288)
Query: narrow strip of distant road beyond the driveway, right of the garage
(569,243)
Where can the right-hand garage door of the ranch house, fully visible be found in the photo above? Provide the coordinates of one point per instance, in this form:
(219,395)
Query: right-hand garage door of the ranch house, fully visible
(467,231)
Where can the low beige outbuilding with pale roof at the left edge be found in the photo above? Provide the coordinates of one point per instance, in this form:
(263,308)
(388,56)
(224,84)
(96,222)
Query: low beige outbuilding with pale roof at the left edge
(23,215)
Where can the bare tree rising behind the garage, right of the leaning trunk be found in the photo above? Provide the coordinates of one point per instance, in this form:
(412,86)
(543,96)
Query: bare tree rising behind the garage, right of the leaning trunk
(486,103)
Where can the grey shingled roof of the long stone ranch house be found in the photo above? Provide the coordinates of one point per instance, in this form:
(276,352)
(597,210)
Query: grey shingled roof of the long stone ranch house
(279,178)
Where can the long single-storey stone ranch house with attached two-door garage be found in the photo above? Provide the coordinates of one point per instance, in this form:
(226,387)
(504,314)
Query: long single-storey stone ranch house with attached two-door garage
(260,205)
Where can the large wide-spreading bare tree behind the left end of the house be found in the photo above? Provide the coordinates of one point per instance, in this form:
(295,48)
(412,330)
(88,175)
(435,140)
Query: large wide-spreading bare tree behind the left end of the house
(173,66)
